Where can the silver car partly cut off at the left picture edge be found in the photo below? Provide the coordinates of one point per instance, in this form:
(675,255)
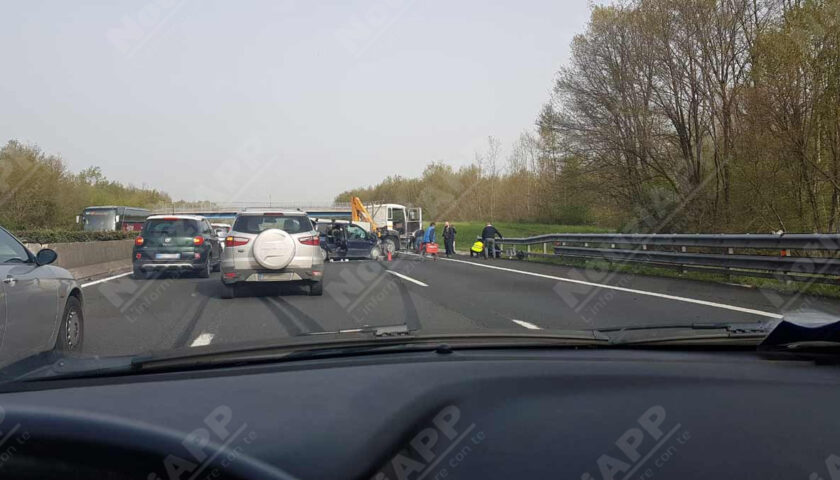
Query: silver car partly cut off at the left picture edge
(40,304)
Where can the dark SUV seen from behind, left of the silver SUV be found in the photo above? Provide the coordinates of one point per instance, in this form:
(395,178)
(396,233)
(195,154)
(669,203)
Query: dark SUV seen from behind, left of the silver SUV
(177,242)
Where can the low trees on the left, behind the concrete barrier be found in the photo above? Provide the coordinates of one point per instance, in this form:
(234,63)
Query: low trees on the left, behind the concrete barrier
(38,191)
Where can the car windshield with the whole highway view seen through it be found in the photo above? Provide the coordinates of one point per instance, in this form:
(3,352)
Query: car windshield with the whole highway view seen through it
(610,172)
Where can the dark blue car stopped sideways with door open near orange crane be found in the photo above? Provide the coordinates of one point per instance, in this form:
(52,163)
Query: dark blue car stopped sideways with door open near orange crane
(341,239)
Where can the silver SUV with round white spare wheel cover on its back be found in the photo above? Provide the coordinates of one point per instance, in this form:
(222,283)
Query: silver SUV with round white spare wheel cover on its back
(272,246)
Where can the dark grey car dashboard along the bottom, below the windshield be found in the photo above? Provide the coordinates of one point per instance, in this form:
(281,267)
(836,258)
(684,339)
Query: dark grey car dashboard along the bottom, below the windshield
(487,413)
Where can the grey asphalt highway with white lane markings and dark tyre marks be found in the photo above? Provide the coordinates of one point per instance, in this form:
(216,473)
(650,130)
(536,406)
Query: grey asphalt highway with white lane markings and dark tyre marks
(127,316)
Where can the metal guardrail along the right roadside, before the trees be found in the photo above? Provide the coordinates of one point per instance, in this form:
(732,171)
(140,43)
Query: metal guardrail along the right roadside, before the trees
(775,256)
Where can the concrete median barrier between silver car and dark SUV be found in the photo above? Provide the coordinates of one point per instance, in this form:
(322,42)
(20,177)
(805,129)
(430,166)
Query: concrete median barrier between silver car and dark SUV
(90,259)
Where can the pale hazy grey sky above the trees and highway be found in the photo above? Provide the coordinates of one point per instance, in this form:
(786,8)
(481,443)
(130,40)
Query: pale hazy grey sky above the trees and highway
(224,100)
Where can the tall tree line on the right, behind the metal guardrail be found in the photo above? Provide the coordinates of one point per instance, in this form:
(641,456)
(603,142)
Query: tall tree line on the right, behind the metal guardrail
(671,115)
